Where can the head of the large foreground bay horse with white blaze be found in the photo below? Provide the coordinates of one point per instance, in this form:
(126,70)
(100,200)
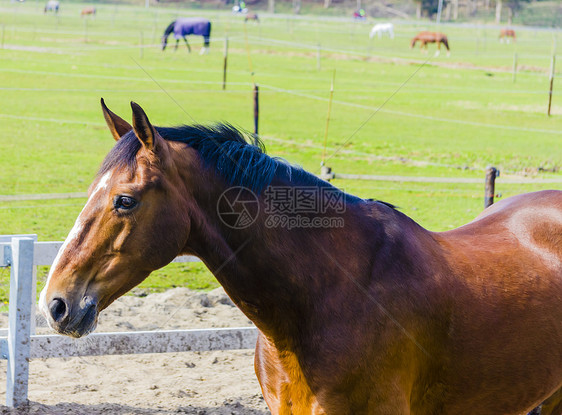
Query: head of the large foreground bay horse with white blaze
(131,225)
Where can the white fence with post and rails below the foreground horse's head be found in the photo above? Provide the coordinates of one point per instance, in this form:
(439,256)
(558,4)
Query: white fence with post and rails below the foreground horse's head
(19,343)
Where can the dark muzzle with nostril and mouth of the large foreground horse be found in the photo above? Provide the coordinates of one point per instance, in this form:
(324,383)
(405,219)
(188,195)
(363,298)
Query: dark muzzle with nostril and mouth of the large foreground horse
(72,320)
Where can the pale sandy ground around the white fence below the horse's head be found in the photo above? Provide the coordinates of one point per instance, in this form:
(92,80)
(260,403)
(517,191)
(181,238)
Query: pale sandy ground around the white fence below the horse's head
(170,383)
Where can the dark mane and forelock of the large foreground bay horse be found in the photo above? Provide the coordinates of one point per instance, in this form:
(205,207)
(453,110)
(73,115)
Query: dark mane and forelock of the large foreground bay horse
(236,159)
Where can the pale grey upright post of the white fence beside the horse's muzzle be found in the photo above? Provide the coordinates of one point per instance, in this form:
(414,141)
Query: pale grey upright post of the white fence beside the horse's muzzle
(19,321)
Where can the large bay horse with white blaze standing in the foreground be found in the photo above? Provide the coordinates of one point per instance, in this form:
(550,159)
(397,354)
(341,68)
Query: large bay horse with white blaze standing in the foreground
(359,309)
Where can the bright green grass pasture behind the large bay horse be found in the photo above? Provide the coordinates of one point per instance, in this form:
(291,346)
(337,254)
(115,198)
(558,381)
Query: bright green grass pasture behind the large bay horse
(395,112)
